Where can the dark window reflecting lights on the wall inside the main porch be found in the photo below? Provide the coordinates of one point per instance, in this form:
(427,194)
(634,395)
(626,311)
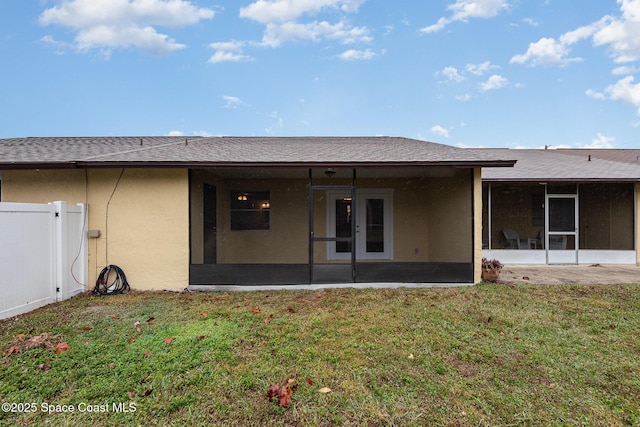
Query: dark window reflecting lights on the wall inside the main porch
(250,210)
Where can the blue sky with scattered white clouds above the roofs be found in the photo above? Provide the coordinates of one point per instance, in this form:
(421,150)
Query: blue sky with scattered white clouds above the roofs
(468,73)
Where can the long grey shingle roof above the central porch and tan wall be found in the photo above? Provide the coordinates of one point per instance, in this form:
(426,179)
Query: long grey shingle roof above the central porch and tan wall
(234,151)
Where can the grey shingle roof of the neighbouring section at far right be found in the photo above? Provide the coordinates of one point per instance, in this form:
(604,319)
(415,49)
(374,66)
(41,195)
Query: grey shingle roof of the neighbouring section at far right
(566,165)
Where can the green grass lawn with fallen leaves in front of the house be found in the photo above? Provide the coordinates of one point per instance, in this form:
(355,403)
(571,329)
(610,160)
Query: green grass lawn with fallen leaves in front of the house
(483,355)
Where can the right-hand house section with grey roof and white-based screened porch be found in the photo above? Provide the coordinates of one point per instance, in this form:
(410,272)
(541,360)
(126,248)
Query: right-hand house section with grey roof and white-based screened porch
(565,206)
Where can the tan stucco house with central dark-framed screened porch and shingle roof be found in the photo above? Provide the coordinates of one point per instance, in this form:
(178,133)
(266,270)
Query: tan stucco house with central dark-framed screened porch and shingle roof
(223,212)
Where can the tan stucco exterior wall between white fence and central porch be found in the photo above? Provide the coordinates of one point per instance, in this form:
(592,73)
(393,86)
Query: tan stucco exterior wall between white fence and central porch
(148,222)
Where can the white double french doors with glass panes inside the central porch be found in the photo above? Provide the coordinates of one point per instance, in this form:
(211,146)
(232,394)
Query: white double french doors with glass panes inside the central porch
(373,216)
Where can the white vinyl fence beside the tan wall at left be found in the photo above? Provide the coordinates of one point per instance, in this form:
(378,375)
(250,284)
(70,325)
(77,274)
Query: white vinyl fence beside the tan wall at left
(43,255)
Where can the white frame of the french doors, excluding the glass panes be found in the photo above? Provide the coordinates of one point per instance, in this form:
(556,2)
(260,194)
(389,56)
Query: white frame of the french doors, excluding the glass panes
(360,213)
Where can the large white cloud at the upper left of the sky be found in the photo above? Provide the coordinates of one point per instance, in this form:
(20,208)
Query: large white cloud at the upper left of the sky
(111,24)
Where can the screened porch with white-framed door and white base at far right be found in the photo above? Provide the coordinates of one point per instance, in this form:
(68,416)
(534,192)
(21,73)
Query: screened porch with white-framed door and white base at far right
(559,223)
